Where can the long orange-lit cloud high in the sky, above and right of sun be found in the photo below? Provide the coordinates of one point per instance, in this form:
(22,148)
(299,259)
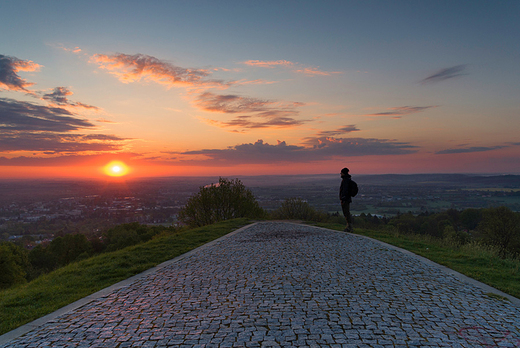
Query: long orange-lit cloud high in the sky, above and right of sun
(137,67)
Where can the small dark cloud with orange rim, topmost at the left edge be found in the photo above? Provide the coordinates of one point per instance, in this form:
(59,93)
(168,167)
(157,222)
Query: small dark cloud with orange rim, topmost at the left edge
(9,78)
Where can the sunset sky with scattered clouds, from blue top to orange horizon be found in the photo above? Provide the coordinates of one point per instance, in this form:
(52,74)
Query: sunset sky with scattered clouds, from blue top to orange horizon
(253,88)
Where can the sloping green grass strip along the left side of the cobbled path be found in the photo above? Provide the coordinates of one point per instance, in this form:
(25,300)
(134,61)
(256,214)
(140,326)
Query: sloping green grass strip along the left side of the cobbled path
(44,295)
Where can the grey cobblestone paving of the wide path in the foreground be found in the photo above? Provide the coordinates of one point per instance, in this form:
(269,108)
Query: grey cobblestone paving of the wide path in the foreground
(278,284)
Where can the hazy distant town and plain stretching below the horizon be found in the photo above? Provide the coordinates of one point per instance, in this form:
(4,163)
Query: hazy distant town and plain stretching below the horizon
(39,209)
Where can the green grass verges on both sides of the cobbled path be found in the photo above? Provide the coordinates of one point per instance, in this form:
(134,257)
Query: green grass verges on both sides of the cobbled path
(44,295)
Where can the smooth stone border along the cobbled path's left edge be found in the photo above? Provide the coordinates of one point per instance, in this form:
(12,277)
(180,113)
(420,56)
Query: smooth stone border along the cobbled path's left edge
(22,330)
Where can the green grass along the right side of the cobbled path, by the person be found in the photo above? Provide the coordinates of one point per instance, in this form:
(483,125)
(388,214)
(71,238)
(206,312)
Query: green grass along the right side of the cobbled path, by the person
(473,260)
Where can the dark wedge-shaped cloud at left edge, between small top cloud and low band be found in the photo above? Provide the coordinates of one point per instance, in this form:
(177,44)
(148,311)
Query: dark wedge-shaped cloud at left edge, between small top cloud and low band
(23,116)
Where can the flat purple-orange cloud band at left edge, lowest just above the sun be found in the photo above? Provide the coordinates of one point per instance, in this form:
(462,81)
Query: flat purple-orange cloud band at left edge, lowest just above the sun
(58,143)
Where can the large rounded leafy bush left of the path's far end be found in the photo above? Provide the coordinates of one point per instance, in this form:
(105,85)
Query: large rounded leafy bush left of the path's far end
(228,199)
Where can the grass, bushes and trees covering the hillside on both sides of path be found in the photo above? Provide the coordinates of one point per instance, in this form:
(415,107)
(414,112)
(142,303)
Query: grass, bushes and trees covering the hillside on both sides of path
(481,243)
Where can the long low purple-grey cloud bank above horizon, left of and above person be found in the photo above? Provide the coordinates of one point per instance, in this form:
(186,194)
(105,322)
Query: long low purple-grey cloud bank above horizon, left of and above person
(318,149)
